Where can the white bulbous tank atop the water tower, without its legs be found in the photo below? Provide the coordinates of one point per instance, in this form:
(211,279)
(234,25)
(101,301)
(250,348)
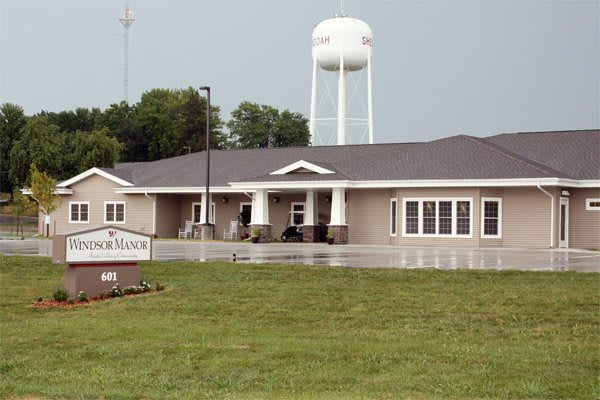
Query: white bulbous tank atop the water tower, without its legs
(345,36)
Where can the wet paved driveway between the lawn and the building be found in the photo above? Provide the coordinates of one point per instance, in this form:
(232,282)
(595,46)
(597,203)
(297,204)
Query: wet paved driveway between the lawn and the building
(353,255)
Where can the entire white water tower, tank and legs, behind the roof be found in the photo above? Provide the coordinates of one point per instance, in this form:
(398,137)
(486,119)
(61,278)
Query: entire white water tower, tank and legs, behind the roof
(341,45)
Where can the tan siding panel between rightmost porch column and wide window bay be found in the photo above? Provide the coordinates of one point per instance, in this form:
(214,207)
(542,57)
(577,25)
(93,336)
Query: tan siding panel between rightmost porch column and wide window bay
(369,216)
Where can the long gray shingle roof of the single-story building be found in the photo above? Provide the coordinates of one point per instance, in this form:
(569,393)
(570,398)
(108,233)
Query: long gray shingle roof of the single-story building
(569,154)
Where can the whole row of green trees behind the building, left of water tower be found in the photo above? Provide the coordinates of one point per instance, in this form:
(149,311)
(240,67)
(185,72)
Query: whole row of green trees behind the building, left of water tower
(164,123)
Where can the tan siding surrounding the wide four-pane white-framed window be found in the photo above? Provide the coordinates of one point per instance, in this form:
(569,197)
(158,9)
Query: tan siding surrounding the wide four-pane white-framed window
(439,193)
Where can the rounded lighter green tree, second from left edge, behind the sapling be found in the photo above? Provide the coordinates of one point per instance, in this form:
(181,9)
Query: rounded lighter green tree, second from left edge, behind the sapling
(38,143)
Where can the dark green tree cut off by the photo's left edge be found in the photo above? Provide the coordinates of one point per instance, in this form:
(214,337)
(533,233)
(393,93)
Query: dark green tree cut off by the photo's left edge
(12,120)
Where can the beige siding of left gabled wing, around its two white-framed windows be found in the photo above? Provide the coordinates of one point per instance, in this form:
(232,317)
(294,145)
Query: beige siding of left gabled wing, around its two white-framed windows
(97,190)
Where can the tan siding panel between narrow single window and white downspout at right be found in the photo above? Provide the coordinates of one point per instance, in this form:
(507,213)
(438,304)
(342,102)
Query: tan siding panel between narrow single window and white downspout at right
(526,218)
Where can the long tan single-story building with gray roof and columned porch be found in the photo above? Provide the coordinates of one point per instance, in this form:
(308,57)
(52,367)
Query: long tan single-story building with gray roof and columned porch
(534,190)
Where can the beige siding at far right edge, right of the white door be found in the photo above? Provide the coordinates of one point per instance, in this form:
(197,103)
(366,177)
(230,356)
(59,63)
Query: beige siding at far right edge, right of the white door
(584,225)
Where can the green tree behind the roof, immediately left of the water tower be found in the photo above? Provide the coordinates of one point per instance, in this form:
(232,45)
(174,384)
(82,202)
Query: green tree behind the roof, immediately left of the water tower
(254,126)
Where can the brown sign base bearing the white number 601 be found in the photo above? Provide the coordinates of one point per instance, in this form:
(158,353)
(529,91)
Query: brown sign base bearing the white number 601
(95,278)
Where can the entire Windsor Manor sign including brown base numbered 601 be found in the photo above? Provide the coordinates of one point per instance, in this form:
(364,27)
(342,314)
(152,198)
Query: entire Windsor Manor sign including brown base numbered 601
(97,259)
